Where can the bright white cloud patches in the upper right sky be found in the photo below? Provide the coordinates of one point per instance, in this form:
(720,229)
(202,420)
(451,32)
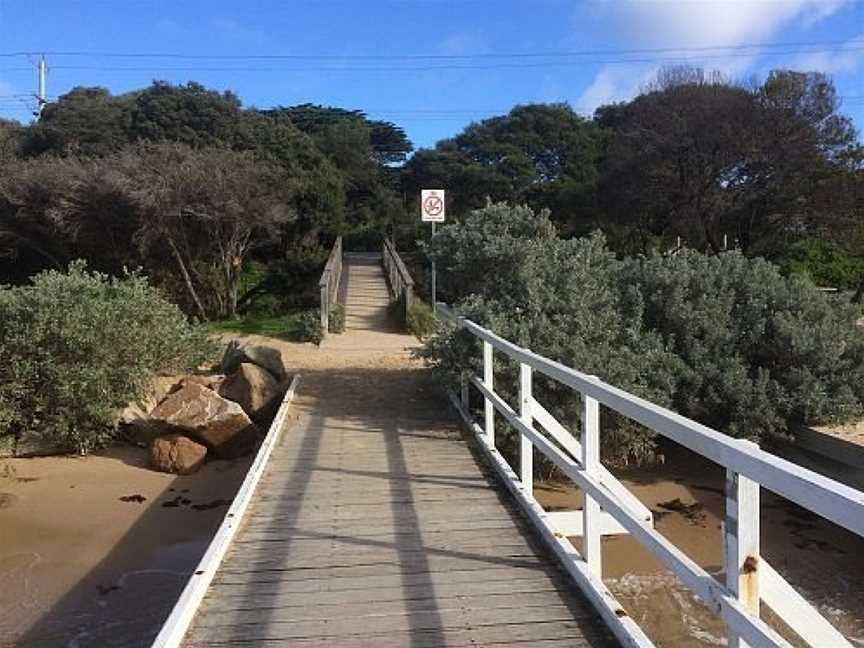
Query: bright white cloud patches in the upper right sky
(700,24)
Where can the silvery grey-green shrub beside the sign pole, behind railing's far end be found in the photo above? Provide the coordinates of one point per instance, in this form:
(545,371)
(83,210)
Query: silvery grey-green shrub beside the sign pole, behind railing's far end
(513,274)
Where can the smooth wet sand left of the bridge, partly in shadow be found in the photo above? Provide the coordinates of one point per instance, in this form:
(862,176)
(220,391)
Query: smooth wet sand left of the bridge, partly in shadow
(81,567)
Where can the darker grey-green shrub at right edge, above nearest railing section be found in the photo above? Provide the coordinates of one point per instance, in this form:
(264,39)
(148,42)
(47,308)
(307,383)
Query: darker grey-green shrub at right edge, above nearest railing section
(759,353)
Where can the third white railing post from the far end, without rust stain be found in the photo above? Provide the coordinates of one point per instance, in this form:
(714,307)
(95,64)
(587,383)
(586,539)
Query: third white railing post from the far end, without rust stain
(591,522)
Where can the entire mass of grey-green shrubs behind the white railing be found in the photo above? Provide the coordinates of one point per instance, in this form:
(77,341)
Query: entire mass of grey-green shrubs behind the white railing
(726,340)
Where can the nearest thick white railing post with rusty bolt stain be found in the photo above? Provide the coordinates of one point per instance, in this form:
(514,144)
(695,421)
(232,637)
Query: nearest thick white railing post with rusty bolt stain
(741,536)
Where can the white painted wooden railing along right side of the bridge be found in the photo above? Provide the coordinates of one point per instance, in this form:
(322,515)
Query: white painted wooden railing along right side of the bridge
(610,508)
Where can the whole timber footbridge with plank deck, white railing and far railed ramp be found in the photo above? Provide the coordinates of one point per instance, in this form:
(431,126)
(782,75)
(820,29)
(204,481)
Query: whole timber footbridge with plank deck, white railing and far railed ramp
(377,513)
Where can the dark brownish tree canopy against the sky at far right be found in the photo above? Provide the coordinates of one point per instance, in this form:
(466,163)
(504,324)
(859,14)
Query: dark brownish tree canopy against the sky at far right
(700,157)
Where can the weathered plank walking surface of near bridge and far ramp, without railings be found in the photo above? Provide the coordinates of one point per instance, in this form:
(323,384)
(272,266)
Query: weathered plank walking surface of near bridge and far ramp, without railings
(374,525)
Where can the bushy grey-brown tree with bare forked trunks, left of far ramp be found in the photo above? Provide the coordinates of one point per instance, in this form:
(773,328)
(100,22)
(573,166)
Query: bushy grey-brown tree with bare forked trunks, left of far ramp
(210,208)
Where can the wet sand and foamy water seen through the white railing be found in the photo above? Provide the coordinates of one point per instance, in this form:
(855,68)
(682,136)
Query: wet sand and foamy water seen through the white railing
(824,562)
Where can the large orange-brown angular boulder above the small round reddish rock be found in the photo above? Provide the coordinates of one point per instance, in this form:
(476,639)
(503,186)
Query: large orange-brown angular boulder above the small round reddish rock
(205,416)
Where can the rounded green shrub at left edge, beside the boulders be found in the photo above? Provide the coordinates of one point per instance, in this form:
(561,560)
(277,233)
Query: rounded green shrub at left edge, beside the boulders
(77,345)
